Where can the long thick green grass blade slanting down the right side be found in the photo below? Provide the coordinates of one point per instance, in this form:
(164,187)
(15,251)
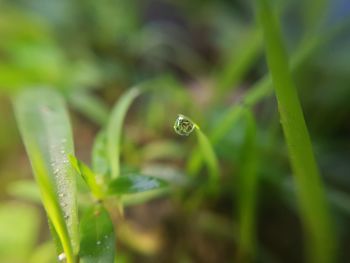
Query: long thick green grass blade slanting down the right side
(312,201)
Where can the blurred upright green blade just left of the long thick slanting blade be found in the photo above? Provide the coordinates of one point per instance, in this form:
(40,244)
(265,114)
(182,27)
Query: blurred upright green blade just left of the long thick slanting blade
(247,189)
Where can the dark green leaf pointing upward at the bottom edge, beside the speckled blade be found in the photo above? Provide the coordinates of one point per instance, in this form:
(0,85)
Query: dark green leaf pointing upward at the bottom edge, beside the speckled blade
(97,243)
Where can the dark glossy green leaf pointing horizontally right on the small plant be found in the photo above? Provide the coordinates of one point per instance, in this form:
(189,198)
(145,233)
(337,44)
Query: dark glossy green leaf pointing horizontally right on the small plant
(135,183)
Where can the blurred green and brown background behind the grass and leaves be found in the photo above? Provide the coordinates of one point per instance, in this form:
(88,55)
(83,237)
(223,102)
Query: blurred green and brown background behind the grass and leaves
(206,56)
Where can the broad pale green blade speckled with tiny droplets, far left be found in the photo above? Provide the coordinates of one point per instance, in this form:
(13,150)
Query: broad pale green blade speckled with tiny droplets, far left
(45,129)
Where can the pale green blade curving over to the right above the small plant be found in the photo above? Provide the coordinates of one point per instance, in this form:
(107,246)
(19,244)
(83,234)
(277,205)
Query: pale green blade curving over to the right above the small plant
(114,129)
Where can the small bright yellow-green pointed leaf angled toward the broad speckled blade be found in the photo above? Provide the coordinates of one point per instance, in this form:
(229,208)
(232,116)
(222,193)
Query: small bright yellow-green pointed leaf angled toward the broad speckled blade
(89,177)
